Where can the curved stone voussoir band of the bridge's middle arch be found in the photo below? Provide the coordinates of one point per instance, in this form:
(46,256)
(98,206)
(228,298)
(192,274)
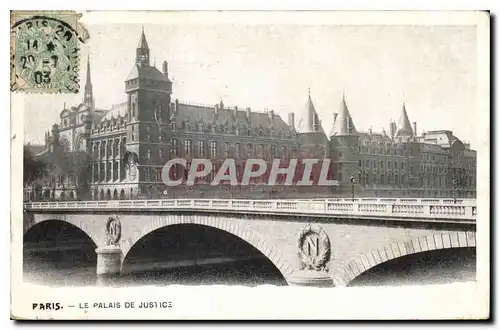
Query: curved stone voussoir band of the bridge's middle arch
(249,236)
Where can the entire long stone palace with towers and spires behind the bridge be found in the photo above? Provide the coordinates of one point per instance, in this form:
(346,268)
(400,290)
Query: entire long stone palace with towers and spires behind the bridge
(131,142)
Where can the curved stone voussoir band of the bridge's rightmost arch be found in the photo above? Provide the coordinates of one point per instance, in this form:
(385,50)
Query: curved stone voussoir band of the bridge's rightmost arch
(448,240)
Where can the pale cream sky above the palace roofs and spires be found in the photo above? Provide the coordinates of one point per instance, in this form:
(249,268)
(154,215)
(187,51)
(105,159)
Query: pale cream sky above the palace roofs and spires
(271,66)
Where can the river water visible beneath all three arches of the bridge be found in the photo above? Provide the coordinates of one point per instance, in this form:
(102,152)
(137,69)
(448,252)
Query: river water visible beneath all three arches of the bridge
(448,267)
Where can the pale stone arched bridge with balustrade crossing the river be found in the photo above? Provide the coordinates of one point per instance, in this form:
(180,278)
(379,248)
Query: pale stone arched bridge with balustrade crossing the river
(362,233)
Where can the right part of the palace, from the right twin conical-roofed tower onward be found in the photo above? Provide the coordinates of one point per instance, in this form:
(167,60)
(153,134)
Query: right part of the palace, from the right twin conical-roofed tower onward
(401,162)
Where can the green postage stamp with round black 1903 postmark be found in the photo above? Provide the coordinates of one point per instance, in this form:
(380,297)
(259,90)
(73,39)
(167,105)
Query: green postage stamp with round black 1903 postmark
(45,50)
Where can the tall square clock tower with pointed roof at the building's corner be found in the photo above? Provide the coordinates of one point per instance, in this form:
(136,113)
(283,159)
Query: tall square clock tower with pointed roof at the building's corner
(148,103)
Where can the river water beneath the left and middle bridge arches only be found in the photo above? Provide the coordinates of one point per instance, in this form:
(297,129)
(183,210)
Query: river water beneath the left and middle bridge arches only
(243,272)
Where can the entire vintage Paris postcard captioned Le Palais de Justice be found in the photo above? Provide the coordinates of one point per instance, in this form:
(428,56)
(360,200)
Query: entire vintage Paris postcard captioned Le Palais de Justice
(250,165)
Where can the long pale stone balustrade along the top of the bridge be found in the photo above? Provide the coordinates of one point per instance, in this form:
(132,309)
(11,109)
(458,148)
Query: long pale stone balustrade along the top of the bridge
(401,208)
